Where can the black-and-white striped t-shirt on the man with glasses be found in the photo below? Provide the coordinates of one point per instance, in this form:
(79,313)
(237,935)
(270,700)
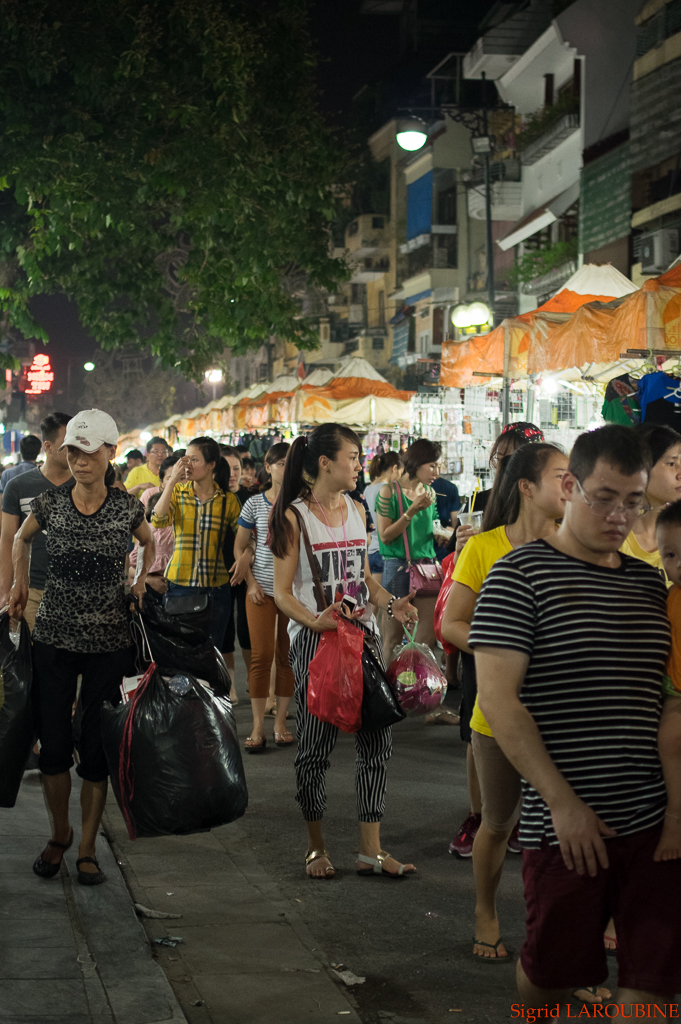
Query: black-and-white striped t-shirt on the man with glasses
(598,641)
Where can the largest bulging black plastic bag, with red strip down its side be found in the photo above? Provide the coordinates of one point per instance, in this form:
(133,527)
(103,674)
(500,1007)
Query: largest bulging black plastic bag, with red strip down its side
(175,761)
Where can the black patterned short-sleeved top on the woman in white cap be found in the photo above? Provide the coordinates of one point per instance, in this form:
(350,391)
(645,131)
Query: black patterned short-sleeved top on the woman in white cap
(83,607)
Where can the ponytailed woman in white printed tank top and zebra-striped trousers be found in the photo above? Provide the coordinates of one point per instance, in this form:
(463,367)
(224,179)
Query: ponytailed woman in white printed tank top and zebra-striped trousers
(313,504)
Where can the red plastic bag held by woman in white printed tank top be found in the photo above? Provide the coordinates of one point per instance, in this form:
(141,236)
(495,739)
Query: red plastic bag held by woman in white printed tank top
(336,681)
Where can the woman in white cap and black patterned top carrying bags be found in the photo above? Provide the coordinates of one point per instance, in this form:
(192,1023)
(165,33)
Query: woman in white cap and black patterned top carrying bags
(81,626)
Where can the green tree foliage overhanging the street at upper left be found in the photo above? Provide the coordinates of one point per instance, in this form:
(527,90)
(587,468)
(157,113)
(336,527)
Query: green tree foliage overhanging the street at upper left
(162,164)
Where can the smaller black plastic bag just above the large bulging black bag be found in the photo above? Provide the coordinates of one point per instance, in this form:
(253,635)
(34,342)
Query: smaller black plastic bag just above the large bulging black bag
(177,649)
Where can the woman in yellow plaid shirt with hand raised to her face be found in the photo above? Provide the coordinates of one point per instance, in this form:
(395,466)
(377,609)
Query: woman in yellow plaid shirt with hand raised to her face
(199,505)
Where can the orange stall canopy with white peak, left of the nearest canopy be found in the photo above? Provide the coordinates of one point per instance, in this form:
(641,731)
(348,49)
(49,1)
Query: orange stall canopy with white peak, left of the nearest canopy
(519,346)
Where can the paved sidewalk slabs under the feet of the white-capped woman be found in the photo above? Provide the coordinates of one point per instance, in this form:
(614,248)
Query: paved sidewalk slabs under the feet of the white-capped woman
(70,955)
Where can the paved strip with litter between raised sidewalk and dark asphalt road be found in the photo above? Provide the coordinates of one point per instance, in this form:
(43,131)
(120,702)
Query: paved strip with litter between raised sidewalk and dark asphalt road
(246,957)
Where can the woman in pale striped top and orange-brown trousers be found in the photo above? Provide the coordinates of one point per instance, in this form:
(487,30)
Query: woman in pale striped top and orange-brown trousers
(268,626)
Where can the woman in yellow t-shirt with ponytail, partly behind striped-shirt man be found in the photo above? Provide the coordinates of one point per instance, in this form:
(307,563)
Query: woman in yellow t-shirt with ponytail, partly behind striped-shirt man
(525,504)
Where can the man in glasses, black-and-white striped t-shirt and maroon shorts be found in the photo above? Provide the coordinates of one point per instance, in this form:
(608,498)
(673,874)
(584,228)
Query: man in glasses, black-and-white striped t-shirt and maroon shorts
(571,639)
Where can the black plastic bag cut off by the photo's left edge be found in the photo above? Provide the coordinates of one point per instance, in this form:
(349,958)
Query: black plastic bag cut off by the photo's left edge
(17,721)
